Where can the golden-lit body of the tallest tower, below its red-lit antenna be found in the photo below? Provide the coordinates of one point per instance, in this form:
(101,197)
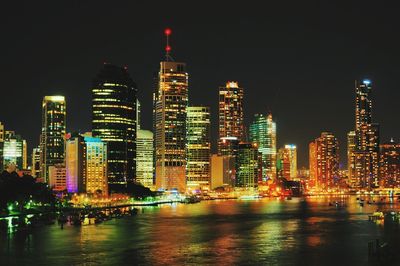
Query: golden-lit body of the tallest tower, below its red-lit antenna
(170,107)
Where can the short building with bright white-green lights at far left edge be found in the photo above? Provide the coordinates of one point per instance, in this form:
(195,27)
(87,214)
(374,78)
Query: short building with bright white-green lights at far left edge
(14,151)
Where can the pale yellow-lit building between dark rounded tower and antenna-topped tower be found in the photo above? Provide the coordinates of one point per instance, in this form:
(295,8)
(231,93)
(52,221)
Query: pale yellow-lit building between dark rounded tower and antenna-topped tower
(144,158)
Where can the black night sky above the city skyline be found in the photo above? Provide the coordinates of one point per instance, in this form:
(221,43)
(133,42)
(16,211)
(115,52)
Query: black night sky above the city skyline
(296,58)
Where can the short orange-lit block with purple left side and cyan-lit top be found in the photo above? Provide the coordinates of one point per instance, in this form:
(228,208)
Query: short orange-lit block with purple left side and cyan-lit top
(86,165)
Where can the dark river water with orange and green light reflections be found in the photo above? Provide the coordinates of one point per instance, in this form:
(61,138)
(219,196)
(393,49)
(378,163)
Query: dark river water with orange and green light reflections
(263,232)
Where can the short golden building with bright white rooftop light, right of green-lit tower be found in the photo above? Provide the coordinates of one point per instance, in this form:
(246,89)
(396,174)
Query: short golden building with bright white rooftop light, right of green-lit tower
(287,162)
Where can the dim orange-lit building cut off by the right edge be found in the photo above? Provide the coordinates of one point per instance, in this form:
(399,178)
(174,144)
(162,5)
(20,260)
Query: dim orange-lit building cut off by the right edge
(390,164)
